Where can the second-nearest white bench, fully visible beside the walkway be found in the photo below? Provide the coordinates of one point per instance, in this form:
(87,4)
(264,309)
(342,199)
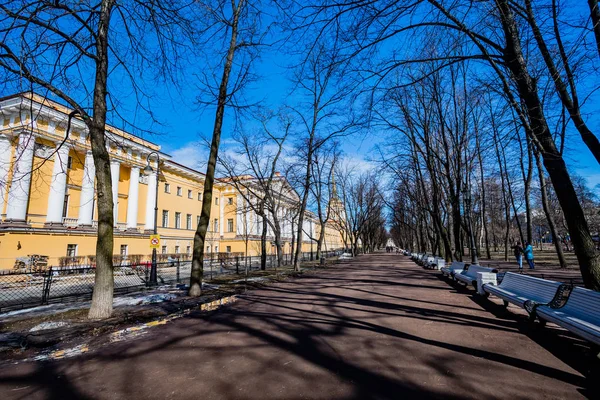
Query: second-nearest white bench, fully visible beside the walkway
(518,289)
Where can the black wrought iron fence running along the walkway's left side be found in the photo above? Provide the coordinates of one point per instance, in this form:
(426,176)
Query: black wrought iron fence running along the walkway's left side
(25,289)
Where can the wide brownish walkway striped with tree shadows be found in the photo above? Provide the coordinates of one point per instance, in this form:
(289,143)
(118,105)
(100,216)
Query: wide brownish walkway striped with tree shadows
(376,327)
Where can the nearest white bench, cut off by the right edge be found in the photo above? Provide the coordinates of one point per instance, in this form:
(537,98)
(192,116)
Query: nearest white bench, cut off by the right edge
(580,314)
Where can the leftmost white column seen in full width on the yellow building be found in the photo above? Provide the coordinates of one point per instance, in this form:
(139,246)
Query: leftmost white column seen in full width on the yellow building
(18,195)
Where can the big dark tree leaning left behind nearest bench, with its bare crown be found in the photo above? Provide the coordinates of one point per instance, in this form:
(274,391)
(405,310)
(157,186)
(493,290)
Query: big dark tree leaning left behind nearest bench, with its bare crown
(496,35)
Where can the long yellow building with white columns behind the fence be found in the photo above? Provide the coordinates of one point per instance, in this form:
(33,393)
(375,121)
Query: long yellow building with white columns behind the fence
(47,195)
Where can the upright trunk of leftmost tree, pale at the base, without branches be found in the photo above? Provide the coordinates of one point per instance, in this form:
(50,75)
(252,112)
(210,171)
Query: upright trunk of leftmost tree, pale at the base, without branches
(102,297)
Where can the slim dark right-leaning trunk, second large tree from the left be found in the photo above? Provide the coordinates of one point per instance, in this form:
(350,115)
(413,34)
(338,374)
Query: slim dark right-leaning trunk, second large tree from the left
(200,235)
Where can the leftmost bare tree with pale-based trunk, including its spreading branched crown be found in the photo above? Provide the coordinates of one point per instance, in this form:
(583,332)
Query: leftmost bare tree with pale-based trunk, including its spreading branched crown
(67,50)
